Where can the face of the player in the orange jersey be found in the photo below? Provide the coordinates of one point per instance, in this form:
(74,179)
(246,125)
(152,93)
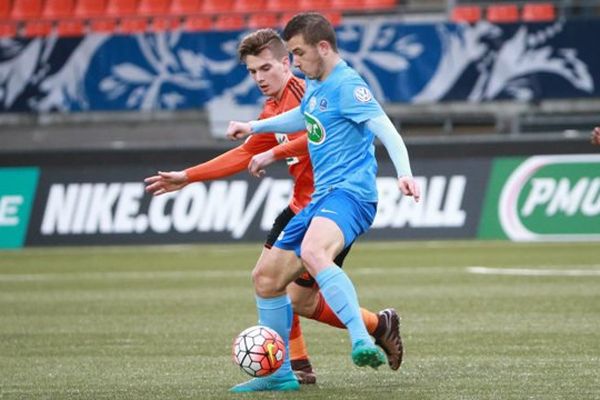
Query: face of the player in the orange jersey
(269,73)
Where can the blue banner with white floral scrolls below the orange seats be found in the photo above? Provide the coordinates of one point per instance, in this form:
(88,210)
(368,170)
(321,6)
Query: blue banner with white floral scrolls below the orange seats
(412,63)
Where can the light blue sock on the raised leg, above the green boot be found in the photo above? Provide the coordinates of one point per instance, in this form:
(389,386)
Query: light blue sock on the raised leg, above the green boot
(340,295)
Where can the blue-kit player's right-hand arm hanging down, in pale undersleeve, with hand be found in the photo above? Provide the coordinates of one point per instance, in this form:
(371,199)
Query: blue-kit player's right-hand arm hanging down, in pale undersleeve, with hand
(383,128)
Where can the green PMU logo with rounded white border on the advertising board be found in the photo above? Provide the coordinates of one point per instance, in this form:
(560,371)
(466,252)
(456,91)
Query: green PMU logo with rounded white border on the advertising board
(553,198)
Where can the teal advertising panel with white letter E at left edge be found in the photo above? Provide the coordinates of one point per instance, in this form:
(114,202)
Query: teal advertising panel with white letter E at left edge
(16,198)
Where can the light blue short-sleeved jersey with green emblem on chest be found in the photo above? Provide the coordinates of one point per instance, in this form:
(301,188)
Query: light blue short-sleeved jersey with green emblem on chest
(340,145)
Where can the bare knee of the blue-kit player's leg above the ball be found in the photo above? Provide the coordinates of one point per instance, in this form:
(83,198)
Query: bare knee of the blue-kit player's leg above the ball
(274,270)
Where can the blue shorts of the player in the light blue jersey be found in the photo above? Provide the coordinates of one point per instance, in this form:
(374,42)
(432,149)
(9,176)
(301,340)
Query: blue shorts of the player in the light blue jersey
(352,216)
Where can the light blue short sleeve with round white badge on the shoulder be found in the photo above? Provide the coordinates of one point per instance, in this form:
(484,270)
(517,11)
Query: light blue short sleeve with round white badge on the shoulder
(357,102)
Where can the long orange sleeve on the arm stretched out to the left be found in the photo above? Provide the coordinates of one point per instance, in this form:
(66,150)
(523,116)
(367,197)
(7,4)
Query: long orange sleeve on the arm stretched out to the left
(232,161)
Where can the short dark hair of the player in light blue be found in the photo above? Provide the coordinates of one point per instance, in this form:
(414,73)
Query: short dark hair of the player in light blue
(313,27)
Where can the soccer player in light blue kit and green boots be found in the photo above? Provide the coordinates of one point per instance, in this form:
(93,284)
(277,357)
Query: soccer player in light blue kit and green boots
(342,118)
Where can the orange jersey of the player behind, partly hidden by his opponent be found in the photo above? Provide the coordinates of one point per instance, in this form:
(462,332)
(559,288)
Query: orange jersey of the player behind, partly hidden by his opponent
(298,160)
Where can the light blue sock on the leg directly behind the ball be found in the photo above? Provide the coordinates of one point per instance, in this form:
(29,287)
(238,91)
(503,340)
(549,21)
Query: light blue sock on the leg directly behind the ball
(276,313)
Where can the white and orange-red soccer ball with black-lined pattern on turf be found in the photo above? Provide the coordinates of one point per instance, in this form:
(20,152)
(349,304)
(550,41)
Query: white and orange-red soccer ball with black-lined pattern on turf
(258,350)
